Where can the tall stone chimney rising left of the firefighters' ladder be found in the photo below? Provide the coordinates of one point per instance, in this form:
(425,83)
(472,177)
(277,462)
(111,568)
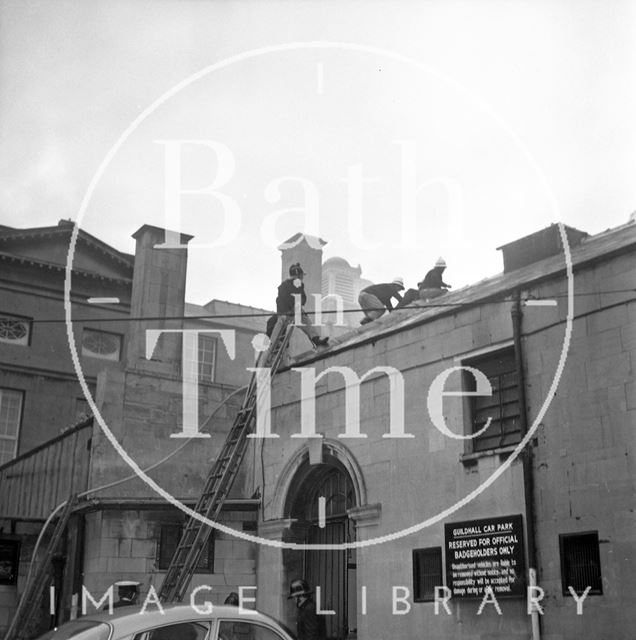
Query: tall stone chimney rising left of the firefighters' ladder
(158,291)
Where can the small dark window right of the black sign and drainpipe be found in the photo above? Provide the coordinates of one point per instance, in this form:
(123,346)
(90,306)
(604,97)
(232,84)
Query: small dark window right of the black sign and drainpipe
(580,563)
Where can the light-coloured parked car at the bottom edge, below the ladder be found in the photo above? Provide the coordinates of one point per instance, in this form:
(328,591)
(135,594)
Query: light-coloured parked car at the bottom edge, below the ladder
(178,622)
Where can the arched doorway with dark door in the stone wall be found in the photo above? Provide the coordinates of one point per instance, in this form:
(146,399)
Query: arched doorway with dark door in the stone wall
(321,495)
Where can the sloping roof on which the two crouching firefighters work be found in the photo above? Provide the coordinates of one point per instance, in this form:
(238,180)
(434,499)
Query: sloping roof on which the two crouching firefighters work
(594,248)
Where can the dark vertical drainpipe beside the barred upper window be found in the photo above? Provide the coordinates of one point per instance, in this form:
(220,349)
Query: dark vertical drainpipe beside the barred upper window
(526,457)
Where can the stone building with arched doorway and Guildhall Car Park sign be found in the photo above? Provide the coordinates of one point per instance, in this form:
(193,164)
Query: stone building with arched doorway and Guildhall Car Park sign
(495,445)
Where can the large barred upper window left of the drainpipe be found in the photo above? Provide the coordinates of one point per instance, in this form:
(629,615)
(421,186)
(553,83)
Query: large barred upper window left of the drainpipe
(502,406)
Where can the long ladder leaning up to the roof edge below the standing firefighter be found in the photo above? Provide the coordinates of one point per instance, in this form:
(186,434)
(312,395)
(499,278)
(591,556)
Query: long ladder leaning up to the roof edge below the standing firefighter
(221,476)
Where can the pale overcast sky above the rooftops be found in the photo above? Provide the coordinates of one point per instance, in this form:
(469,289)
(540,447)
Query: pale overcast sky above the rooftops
(396,131)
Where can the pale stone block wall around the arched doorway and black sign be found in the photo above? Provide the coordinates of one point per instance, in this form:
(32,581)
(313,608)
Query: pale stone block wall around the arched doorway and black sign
(583,457)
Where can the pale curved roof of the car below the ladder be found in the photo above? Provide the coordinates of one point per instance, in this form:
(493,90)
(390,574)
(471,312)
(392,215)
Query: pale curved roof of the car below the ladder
(124,617)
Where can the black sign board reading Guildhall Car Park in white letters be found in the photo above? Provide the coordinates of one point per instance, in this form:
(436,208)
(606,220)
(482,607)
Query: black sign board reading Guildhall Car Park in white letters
(485,553)
